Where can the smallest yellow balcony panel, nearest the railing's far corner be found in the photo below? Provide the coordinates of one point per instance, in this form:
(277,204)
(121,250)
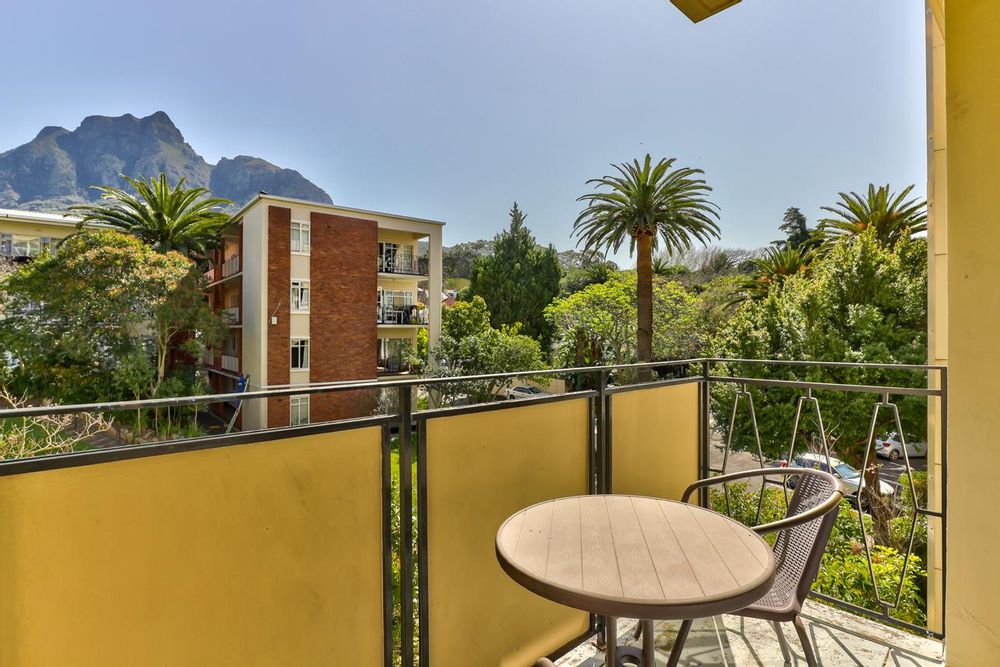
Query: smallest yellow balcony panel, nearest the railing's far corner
(654,445)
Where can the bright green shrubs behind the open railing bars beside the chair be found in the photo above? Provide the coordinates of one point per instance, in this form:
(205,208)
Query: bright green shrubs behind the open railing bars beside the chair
(844,573)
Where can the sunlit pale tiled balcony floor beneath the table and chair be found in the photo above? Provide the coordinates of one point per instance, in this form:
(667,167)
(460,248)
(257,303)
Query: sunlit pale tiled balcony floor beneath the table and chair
(840,638)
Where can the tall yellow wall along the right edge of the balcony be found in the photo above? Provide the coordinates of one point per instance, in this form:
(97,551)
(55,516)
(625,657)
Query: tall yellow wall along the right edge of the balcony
(972,101)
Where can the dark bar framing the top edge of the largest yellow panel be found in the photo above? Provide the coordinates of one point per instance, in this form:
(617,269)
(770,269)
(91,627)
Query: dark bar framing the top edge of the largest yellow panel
(126,452)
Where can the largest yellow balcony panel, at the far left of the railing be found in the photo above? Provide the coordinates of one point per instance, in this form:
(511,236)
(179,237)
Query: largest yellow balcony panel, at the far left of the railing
(265,554)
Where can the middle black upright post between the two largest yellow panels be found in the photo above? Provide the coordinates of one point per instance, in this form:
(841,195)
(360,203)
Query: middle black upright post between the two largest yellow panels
(406,525)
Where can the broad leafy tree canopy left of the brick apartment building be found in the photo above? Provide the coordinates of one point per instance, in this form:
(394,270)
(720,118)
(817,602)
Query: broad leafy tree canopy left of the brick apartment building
(101,316)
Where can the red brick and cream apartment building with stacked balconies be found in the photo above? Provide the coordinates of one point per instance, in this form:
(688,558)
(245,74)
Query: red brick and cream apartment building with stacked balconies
(316,293)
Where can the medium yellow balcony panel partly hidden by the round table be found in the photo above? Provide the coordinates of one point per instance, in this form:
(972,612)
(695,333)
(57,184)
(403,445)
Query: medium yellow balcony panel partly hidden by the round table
(481,468)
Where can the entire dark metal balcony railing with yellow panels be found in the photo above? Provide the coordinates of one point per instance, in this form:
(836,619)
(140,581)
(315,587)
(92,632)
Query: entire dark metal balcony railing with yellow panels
(430,482)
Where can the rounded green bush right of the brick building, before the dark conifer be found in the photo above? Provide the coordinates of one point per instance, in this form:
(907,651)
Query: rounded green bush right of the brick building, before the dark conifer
(470,345)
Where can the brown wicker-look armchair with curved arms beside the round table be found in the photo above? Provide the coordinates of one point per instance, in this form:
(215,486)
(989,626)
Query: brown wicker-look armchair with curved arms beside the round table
(798,550)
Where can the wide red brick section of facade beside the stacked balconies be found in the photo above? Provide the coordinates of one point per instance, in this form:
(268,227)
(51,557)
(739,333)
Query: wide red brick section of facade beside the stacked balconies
(342,328)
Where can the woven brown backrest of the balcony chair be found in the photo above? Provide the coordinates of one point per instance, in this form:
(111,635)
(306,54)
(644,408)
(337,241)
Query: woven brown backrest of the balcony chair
(798,551)
